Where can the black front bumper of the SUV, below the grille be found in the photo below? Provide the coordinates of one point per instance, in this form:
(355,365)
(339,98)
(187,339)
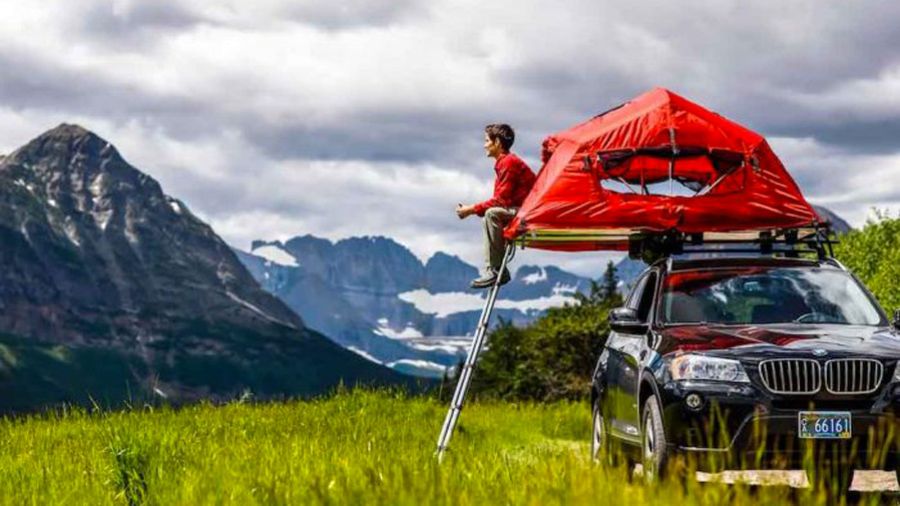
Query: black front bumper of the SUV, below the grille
(741,425)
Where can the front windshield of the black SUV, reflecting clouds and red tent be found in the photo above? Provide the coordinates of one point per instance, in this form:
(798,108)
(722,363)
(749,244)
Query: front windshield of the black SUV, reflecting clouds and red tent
(760,295)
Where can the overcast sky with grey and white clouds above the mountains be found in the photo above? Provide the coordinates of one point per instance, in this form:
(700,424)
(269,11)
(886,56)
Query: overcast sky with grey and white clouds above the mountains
(273,118)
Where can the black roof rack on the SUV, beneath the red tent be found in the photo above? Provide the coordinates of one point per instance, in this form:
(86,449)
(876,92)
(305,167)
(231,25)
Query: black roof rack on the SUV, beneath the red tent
(817,240)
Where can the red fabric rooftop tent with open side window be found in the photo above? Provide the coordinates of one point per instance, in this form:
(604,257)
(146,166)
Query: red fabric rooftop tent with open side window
(727,177)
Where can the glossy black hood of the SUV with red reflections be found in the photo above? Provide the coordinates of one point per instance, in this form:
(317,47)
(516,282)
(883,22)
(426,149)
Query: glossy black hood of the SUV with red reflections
(765,341)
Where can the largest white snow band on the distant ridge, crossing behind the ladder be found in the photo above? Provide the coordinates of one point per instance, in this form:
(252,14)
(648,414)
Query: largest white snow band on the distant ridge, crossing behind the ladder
(448,303)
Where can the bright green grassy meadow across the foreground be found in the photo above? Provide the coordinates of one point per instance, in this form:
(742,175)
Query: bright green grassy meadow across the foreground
(351,448)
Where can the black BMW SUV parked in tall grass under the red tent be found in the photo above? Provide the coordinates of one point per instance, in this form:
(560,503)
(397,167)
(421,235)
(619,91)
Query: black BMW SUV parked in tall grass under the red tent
(754,362)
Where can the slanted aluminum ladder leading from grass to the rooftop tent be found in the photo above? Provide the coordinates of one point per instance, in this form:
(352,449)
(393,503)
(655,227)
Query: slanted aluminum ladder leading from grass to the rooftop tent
(465,376)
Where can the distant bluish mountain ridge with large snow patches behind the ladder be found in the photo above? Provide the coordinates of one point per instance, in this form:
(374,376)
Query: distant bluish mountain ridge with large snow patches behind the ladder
(372,295)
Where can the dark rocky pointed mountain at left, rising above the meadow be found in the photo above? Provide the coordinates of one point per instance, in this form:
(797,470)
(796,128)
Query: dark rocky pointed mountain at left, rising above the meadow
(100,262)
